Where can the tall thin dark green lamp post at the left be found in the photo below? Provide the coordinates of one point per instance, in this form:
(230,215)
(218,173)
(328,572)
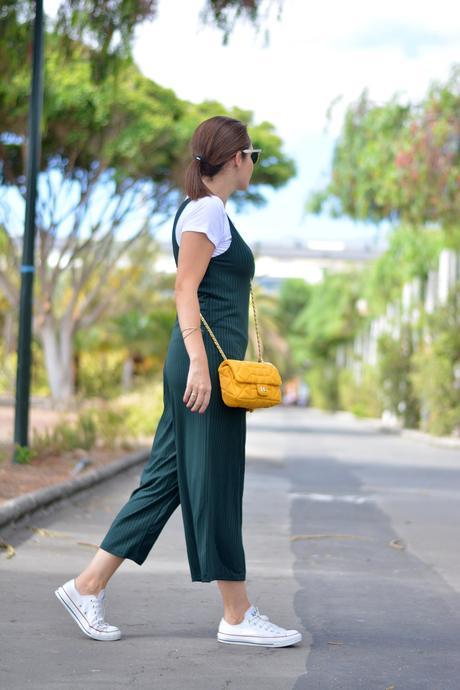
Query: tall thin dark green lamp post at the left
(21,421)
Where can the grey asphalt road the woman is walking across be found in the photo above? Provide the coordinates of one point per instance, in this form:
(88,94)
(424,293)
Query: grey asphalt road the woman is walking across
(351,536)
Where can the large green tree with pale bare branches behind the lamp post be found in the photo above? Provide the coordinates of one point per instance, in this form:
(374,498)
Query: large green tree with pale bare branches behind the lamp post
(112,160)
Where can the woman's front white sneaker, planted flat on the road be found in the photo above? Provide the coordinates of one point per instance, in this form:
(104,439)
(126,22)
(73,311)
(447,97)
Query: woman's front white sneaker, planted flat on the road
(256,629)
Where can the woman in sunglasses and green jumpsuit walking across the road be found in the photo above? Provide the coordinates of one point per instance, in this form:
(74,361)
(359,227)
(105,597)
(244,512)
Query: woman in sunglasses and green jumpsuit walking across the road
(197,458)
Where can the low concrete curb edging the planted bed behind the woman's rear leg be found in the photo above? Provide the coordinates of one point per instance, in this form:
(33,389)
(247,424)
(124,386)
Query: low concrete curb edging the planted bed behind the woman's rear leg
(28,503)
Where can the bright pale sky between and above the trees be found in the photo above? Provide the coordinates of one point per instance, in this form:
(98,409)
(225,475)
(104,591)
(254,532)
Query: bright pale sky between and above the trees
(316,53)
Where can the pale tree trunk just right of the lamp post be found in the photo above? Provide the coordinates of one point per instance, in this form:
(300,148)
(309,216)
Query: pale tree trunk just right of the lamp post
(58,350)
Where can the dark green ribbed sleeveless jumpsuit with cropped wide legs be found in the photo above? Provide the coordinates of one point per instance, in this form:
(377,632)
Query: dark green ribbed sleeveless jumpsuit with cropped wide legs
(197,460)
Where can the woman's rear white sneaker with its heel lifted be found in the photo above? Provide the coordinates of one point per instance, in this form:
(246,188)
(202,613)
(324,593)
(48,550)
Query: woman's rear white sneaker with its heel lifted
(88,611)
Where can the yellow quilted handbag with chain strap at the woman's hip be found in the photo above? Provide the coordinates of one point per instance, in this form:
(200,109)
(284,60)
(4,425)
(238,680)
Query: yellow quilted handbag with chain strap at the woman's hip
(244,383)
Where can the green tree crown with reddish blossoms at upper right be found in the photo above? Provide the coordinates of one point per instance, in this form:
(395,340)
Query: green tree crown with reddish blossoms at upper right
(398,162)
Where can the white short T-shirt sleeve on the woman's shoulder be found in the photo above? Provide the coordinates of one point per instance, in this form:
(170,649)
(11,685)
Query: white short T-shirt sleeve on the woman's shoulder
(206,215)
